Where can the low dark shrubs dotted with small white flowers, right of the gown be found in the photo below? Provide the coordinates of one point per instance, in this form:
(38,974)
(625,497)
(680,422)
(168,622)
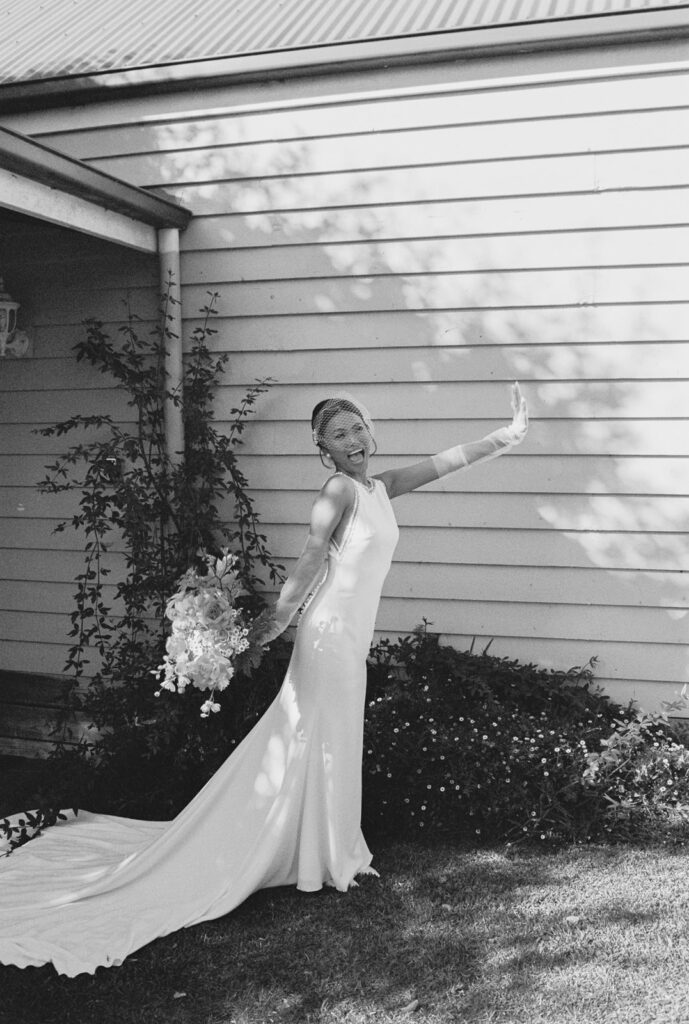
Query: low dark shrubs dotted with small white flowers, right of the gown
(479,747)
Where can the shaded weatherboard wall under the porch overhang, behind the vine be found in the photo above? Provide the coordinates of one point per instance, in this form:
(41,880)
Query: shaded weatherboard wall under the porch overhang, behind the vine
(61,278)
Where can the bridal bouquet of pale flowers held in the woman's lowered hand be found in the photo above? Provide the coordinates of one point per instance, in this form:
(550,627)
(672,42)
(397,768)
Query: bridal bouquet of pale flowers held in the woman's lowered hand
(209,631)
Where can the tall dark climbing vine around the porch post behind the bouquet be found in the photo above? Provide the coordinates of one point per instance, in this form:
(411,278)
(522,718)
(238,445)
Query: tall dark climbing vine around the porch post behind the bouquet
(160,517)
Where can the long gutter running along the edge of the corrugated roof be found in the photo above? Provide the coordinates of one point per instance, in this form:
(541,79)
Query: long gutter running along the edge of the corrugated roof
(330,59)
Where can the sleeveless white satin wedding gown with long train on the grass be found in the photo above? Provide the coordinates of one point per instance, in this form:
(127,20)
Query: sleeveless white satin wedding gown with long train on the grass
(284,809)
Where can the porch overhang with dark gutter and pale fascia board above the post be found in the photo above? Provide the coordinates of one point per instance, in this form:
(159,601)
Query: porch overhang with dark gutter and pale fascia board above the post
(42,183)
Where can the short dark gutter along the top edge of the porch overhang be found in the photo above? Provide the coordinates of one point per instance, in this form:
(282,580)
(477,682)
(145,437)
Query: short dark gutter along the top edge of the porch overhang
(28,159)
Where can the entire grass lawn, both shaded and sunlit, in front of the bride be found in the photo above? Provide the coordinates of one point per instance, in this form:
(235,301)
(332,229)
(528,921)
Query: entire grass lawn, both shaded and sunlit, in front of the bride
(447,934)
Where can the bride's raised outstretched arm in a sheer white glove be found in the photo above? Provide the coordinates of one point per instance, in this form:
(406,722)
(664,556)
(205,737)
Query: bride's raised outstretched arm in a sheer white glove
(401,482)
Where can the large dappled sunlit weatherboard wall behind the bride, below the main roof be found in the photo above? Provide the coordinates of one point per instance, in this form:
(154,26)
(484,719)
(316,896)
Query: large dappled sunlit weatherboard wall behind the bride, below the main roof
(423,237)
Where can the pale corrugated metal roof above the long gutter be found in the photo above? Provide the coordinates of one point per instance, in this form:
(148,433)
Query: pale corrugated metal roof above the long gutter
(42,39)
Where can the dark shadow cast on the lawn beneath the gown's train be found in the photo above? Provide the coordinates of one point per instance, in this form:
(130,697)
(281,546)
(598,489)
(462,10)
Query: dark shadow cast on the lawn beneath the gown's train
(294,958)
